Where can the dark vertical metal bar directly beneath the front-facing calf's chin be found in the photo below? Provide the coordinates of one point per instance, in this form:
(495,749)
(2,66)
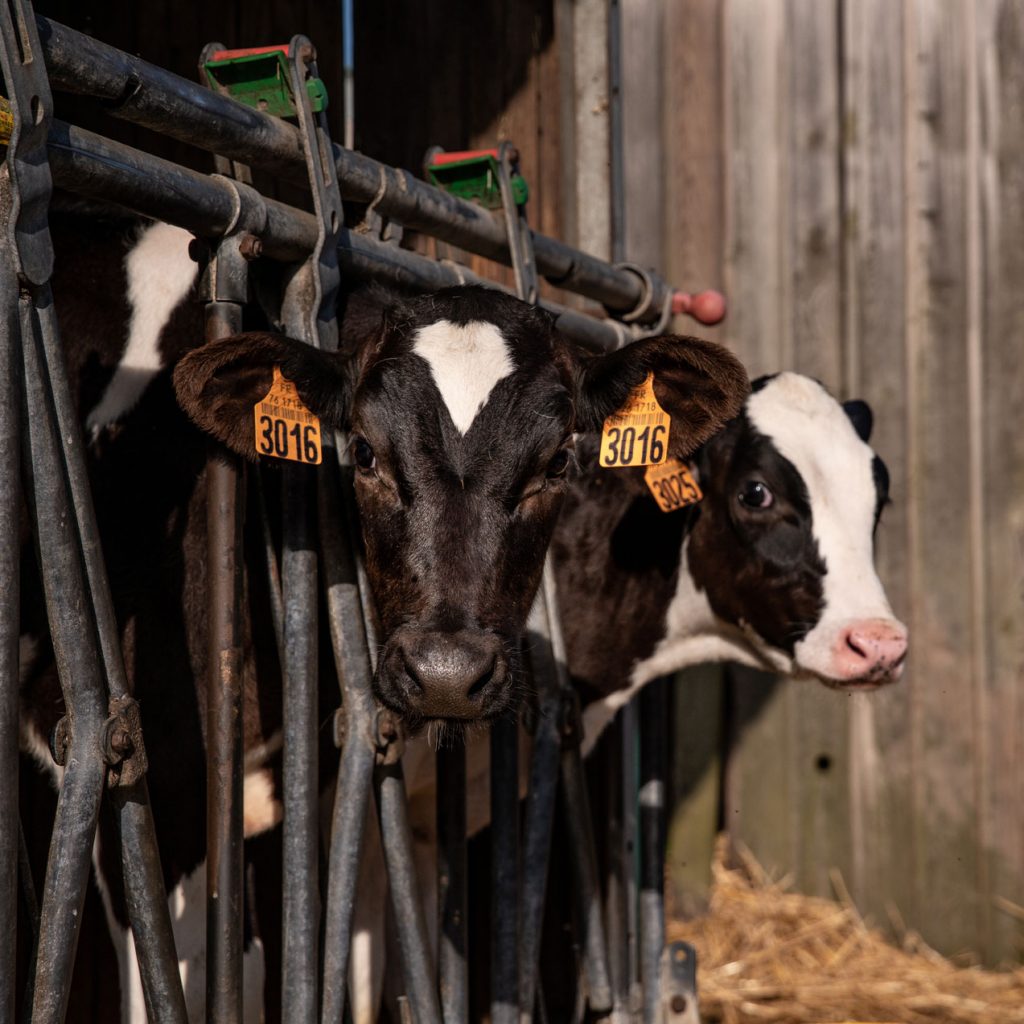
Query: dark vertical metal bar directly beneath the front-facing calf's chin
(452,878)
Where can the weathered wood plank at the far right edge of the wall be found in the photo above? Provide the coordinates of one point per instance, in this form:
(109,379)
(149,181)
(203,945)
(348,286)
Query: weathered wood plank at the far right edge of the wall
(1001,71)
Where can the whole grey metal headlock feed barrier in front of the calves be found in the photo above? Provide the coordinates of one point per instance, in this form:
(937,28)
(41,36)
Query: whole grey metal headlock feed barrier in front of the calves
(40,437)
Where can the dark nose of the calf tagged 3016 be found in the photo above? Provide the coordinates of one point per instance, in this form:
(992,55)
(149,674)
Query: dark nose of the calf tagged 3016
(454,675)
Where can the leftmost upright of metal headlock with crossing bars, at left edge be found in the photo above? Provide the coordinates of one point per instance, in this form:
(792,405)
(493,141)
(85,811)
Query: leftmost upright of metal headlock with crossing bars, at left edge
(82,624)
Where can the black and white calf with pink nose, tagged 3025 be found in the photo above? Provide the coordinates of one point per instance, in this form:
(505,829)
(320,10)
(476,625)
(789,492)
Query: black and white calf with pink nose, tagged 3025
(774,569)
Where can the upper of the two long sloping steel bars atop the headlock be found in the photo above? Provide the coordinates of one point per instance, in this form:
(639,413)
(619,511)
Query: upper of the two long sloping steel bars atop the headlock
(138,92)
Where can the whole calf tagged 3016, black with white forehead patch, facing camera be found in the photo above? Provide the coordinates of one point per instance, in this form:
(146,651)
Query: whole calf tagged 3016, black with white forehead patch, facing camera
(462,410)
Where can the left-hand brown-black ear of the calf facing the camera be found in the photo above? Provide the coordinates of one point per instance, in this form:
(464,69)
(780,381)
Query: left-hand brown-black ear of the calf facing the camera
(220,385)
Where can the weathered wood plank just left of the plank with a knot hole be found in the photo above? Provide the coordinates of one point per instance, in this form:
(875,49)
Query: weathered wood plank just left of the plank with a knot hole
(760,796)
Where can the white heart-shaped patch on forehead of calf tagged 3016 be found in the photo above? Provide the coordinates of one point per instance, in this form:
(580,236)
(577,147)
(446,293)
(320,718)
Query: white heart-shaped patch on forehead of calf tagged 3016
(466,362)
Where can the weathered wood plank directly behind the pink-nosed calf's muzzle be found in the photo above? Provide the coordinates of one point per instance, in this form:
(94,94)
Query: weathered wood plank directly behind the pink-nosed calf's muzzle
(883,837)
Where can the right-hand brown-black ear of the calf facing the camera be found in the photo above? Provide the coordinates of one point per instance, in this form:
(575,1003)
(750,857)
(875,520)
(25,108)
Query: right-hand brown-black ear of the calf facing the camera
(700,385)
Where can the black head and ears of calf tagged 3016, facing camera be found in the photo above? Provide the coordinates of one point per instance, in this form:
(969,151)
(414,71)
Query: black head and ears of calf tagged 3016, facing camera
(461,411)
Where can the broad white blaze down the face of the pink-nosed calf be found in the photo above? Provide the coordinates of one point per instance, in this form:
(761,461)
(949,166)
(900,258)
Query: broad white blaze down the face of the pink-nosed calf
(796,414)
